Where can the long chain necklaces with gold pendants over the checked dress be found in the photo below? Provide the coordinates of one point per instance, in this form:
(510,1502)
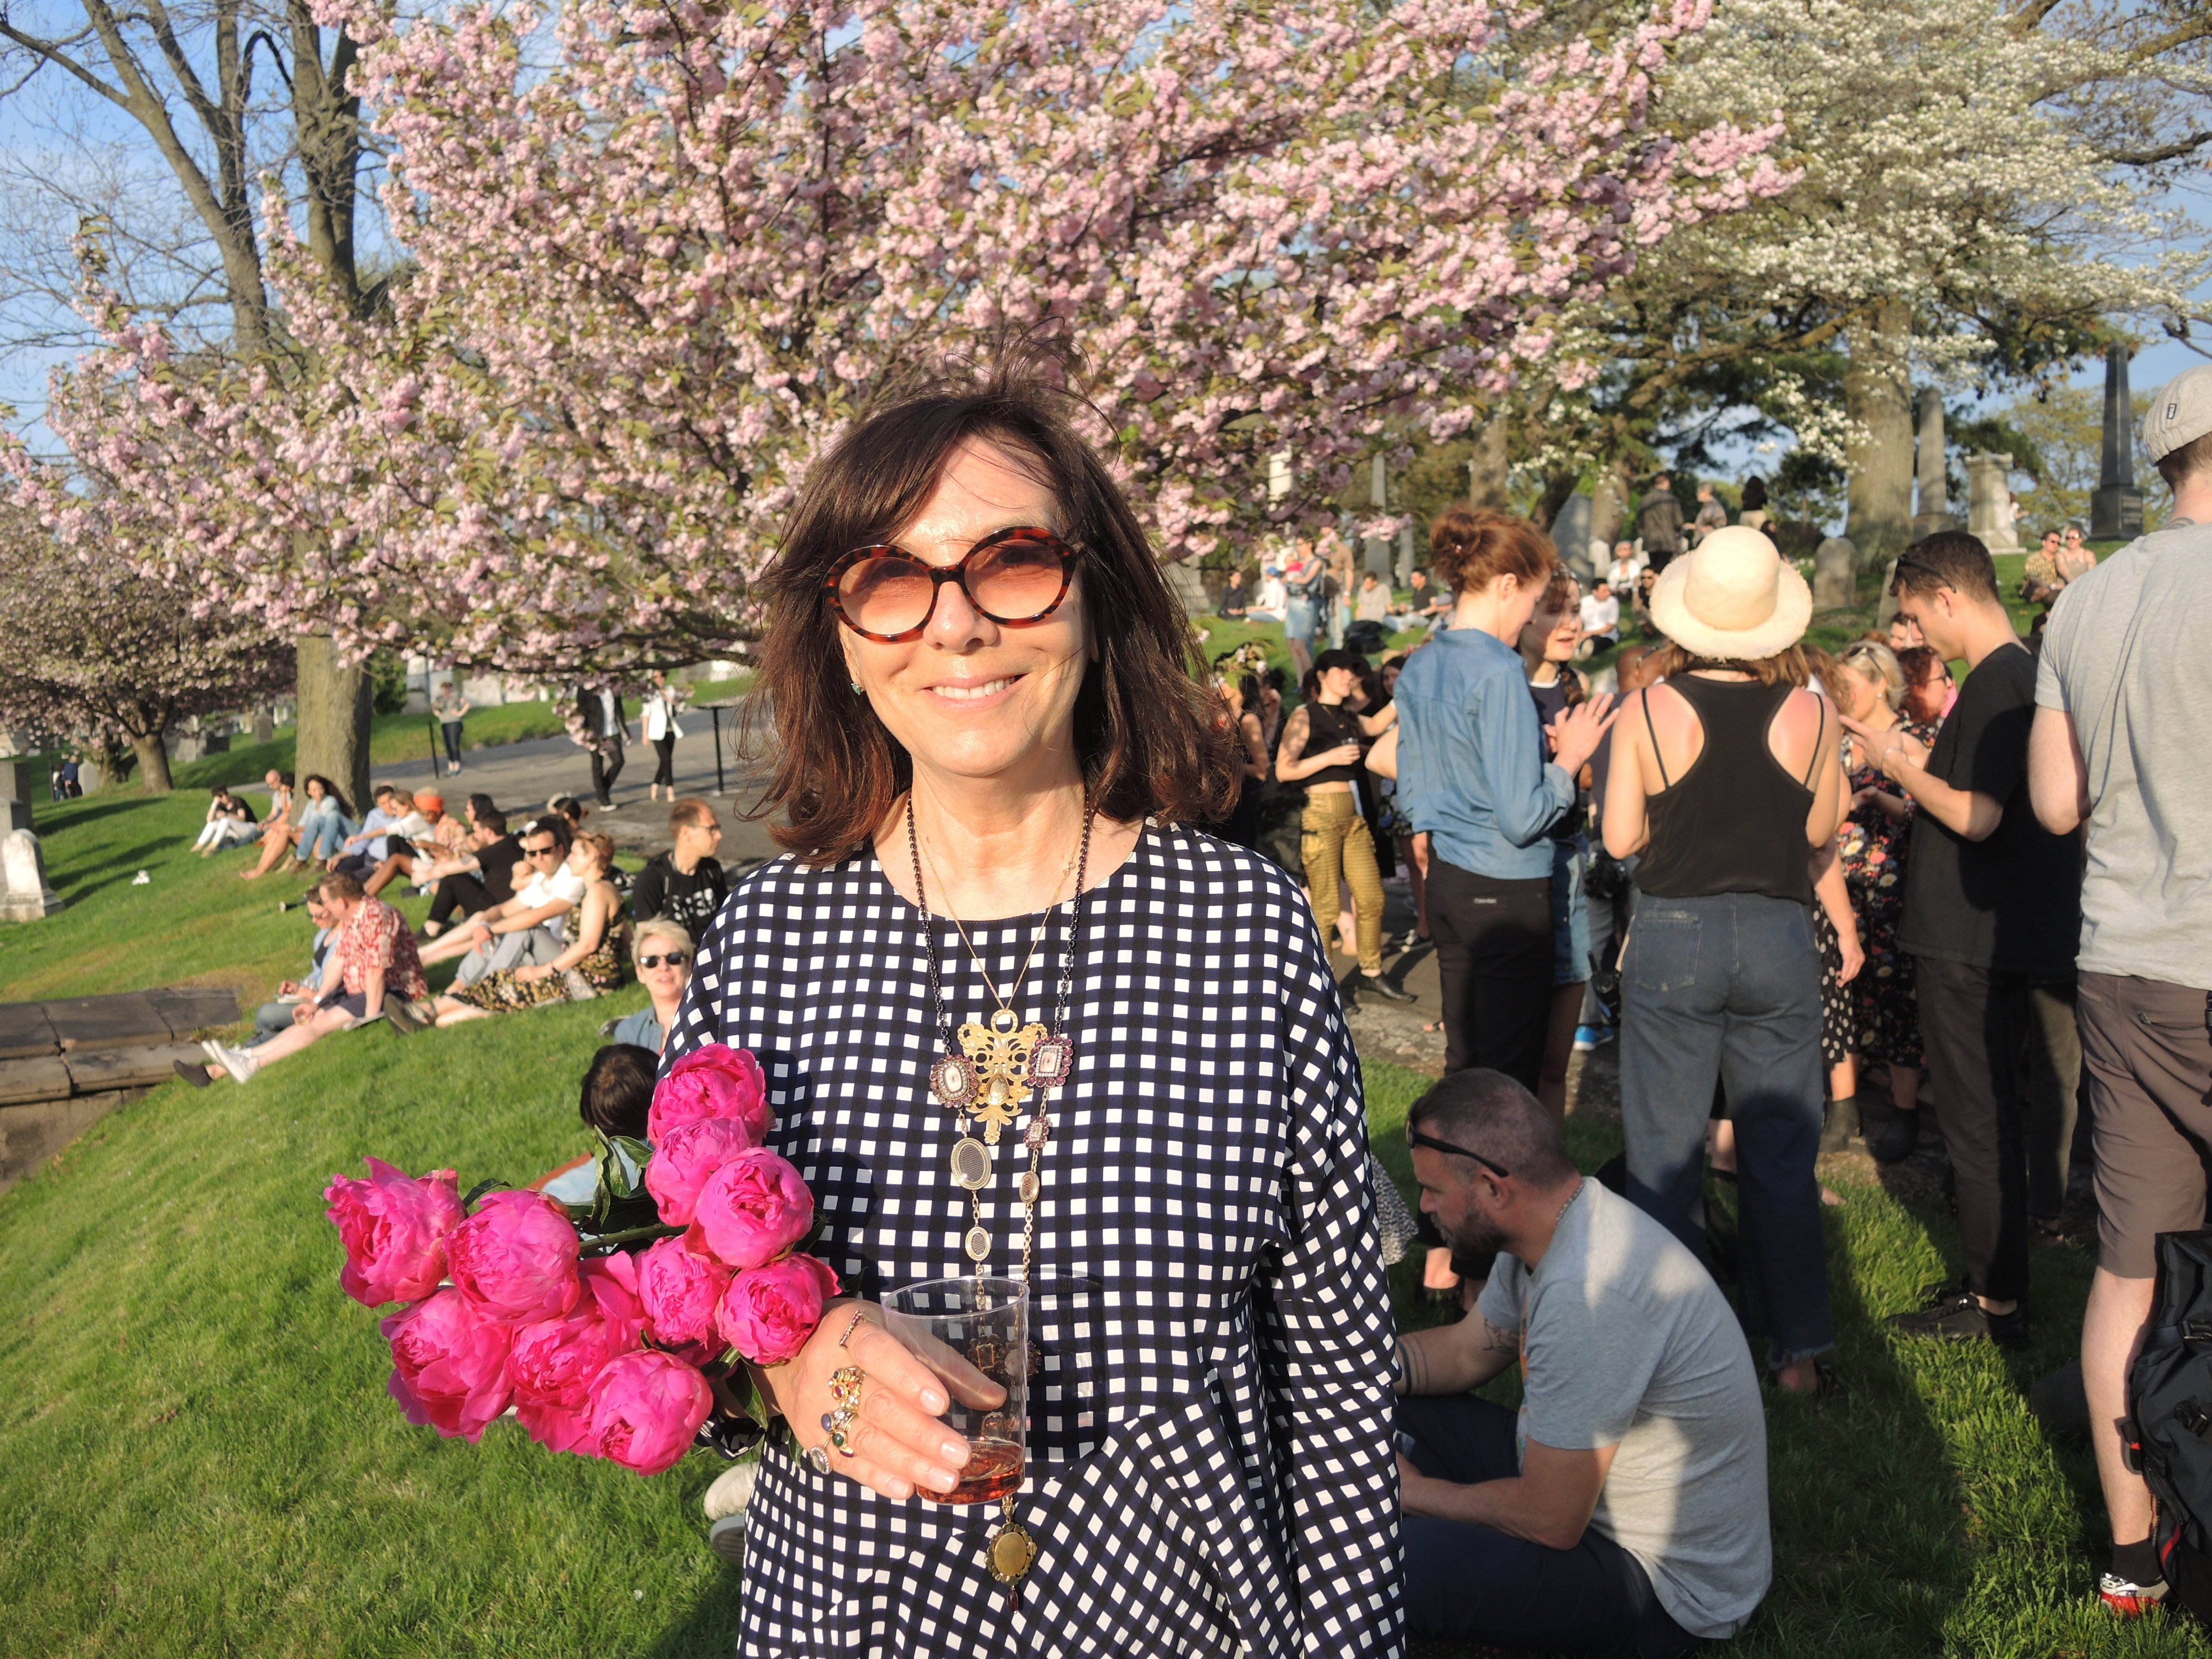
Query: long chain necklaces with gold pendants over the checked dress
(992,1076)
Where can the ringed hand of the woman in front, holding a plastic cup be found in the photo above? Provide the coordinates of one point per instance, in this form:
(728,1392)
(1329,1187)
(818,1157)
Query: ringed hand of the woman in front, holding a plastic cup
(899,1439)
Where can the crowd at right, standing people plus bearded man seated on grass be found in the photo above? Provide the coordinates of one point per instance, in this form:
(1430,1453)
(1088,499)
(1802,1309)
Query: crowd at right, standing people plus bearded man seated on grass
(1815,895)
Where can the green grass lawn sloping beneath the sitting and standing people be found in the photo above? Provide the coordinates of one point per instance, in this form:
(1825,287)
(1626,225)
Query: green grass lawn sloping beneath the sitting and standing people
(202,1459)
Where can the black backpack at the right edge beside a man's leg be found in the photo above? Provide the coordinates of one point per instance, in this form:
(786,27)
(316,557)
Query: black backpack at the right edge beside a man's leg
(2171,1417)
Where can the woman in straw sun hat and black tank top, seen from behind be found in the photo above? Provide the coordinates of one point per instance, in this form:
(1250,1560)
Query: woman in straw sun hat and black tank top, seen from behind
(1726,778)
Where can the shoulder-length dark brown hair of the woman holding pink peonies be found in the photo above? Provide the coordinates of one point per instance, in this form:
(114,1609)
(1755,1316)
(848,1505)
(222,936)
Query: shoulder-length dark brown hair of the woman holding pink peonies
(1149,733)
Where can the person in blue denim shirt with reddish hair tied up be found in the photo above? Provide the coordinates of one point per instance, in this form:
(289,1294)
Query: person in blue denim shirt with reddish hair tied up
(1477,780)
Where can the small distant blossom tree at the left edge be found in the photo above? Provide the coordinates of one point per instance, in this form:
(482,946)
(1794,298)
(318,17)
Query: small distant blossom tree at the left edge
(101,651)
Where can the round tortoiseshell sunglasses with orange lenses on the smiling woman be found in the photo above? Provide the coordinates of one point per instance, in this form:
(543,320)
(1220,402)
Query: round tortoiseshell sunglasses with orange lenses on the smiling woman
(888,594)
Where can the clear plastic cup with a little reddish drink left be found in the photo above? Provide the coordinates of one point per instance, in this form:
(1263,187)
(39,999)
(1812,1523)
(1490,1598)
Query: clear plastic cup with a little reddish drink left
(974,1335)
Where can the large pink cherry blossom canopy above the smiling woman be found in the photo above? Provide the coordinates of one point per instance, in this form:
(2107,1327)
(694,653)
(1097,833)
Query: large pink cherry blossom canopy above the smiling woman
(654,280)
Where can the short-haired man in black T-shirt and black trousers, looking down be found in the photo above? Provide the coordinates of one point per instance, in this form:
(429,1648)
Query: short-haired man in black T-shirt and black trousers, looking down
(1992,921)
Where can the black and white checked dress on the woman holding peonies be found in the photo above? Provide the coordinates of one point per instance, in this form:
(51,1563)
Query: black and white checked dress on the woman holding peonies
(1211,1430)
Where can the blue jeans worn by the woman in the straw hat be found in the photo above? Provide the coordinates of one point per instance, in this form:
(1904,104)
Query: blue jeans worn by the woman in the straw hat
(1729,990)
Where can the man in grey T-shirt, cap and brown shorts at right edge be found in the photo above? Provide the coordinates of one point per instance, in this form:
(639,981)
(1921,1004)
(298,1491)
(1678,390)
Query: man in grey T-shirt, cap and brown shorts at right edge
(2122,718)
